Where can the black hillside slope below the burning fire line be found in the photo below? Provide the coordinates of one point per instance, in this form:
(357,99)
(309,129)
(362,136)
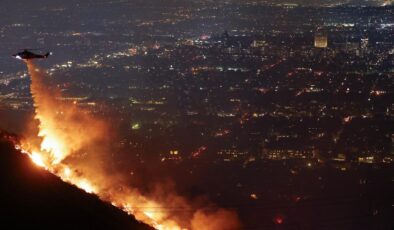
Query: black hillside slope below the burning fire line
(33,198)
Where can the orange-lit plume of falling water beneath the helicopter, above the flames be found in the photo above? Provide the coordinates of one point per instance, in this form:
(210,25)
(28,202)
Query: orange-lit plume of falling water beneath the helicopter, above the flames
(64,127)
